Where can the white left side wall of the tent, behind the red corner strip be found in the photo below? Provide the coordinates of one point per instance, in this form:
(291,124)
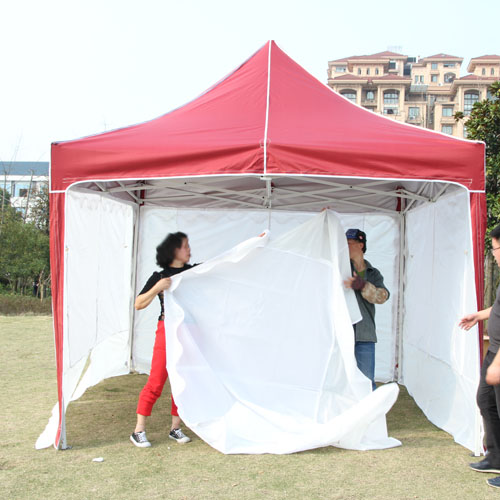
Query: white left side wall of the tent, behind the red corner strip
(97,294)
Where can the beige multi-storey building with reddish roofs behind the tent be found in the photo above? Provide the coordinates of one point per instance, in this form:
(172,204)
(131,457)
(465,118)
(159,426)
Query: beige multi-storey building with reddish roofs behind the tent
(426,92)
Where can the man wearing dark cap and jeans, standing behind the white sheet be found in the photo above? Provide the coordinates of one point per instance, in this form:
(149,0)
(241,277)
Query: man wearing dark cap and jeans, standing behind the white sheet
(368,285)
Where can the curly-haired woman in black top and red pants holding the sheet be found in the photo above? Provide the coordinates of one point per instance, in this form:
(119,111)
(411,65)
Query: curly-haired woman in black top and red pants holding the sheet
(172,255)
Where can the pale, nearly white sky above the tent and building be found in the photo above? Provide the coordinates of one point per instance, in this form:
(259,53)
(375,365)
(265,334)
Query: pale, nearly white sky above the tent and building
(74,68)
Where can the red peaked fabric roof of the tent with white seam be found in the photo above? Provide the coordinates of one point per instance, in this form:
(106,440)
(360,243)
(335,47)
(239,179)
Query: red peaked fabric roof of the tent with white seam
(269,104)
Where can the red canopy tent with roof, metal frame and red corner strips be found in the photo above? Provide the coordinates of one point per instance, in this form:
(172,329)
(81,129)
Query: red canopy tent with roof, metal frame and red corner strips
(269,135)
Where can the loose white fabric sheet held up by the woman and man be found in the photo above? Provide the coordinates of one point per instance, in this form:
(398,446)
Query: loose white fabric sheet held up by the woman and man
(261,349)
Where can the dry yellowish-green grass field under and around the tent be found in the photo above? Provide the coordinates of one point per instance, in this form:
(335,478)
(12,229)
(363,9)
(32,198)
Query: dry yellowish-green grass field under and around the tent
(429,465)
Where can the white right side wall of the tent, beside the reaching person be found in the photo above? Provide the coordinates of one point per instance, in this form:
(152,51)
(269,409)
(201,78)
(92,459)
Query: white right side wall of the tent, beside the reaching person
(440,365)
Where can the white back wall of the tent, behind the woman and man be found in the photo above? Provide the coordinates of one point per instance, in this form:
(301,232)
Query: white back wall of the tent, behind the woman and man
(214,231)
